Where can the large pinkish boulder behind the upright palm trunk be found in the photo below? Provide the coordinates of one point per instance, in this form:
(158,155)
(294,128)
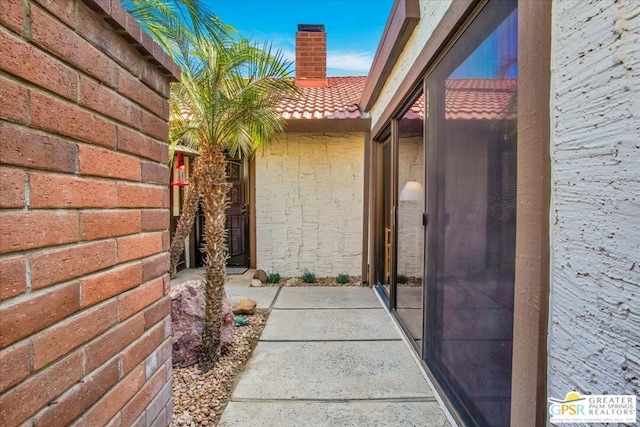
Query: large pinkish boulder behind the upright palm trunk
(187,320)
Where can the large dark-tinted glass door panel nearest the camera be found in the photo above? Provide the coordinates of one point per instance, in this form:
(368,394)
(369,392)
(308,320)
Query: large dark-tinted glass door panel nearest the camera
(471,126)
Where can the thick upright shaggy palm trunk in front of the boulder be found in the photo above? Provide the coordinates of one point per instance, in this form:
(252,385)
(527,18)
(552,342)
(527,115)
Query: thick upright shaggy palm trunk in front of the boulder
(215,189)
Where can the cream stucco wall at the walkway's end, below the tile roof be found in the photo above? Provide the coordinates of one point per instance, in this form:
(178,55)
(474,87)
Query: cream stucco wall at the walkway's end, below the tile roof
(309,195)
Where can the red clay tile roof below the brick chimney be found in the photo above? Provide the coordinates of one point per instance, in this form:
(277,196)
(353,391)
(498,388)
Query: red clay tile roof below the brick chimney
(337,100)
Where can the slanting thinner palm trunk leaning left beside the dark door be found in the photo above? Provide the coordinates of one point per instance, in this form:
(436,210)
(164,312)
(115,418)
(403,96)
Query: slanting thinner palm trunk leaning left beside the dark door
(186,220)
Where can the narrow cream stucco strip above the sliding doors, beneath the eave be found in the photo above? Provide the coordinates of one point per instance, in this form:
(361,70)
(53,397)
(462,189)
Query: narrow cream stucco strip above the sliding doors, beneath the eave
(431,12)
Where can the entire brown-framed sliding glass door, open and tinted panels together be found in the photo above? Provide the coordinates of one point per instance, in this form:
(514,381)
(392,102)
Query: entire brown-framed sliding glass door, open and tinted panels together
(445,206)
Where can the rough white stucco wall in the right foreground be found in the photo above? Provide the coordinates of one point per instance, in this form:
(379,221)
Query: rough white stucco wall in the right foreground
(594,331)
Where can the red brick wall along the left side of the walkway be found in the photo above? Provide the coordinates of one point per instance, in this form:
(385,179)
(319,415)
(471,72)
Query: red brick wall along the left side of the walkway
(84,326)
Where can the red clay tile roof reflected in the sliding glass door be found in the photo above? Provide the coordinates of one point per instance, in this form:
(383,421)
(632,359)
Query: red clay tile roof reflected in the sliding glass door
(479,99)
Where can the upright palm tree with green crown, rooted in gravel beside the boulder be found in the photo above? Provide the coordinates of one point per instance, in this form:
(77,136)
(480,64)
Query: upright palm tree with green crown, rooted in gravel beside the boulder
(225,105)
